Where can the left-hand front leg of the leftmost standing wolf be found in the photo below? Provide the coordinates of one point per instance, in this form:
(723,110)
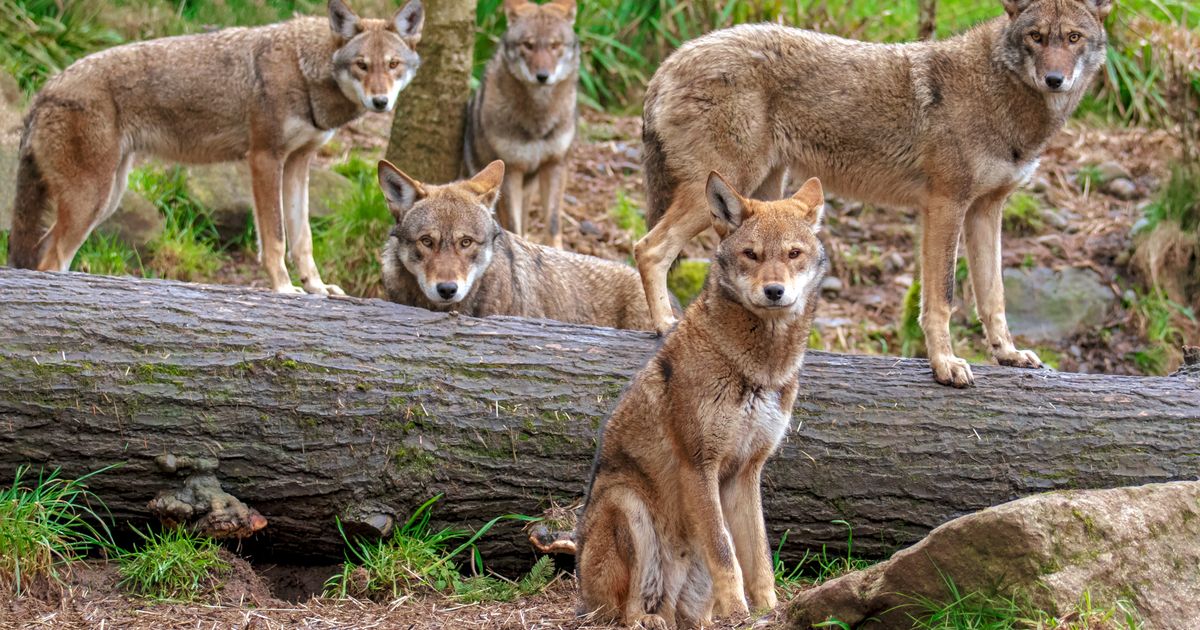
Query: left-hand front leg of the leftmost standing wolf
(267,178)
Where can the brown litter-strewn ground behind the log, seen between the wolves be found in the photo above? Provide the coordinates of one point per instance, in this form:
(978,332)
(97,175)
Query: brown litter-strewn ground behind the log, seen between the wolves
(872,250)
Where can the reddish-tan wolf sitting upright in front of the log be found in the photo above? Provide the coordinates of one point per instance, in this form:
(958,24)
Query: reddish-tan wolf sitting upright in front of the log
(674,531)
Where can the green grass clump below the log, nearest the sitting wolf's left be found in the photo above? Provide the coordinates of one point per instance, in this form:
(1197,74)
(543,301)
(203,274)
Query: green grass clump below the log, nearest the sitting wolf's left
(419,559)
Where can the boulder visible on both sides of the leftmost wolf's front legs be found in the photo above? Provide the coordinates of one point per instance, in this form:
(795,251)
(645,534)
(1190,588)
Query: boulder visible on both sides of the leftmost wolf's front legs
(226,190)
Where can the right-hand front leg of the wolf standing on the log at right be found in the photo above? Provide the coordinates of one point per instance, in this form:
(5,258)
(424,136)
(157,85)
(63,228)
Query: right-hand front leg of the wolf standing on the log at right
(983,224)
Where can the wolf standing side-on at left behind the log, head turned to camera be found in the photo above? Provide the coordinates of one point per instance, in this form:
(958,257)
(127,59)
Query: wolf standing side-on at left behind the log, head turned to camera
(272,95)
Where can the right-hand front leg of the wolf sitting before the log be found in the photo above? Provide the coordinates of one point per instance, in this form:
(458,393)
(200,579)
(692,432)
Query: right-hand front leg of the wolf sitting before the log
(742,506)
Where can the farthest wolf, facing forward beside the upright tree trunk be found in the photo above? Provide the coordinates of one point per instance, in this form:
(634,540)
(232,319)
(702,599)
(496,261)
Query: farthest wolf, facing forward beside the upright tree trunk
(525,112)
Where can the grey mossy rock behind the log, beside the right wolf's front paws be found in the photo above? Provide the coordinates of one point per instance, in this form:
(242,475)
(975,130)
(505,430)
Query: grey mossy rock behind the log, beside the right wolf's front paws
(1048,305)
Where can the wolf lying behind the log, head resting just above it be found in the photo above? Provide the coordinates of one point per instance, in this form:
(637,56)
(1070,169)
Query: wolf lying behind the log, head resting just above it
(447,239)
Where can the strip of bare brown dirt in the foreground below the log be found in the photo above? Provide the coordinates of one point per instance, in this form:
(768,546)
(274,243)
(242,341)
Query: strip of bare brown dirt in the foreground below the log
(92,599)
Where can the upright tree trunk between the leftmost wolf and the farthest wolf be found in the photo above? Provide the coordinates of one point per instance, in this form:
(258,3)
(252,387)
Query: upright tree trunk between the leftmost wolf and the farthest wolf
(427,133)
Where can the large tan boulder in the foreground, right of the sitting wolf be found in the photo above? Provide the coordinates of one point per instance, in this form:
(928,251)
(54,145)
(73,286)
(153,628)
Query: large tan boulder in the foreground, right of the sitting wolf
(1141,545)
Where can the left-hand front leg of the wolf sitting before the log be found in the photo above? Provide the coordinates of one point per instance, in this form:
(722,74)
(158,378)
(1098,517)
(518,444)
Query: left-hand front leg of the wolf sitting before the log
(703,513)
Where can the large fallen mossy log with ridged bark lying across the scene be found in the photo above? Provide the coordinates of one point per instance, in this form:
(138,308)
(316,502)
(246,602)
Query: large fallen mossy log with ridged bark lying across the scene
(309,410)
